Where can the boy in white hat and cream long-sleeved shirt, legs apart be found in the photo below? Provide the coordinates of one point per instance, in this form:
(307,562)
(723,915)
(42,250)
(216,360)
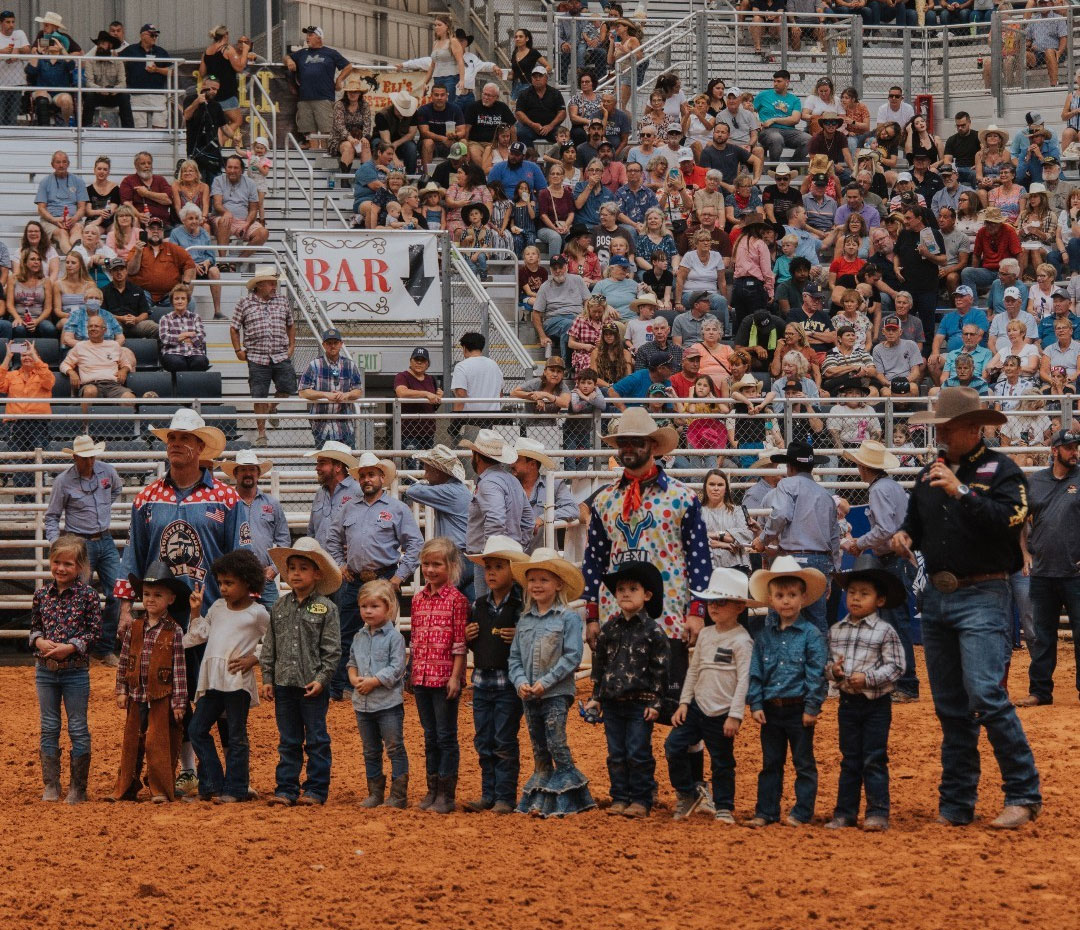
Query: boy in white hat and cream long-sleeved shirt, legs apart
(714,697)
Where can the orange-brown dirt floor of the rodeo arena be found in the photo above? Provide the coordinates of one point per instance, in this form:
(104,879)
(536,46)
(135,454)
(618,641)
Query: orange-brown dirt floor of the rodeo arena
(199,867)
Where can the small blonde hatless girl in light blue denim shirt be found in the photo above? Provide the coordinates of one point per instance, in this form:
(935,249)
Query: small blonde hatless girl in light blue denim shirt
(377,673)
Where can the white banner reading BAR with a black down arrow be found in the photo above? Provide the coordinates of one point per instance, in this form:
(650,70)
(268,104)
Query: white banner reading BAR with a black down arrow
(373,276)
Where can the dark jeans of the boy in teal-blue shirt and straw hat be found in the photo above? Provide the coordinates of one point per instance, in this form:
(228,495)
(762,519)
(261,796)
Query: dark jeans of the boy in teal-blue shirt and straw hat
(784,729)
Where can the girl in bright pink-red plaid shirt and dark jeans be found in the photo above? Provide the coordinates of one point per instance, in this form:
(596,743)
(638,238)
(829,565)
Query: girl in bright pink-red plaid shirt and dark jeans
(440,614)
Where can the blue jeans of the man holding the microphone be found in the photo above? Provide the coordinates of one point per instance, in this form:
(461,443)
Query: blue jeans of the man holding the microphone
(966,642)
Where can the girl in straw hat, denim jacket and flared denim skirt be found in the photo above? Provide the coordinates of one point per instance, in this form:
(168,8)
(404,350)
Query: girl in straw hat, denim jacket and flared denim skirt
(544,657)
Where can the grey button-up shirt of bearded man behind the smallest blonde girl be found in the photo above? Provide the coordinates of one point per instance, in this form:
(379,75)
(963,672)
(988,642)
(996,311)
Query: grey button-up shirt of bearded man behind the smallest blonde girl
(380,535)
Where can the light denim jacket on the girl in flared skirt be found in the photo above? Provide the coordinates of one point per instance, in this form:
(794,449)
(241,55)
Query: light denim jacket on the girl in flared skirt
(548,649)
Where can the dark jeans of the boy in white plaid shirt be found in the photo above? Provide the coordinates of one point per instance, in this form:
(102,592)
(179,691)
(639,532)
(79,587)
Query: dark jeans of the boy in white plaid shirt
(865,750)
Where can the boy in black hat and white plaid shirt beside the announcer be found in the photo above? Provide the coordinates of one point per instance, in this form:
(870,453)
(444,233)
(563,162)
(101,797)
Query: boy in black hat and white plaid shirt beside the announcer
(867,662)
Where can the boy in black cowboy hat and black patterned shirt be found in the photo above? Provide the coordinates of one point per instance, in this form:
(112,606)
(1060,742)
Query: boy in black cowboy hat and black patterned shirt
(630,676)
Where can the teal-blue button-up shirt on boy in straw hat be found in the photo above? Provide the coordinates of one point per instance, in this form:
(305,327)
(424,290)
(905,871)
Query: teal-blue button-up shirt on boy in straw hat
(788,663)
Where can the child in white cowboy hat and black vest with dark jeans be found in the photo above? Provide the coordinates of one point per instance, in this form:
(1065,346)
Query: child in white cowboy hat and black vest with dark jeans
(497,710)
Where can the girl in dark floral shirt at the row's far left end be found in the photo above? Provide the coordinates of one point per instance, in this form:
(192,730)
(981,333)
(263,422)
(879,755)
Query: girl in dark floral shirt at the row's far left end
(65,623)
